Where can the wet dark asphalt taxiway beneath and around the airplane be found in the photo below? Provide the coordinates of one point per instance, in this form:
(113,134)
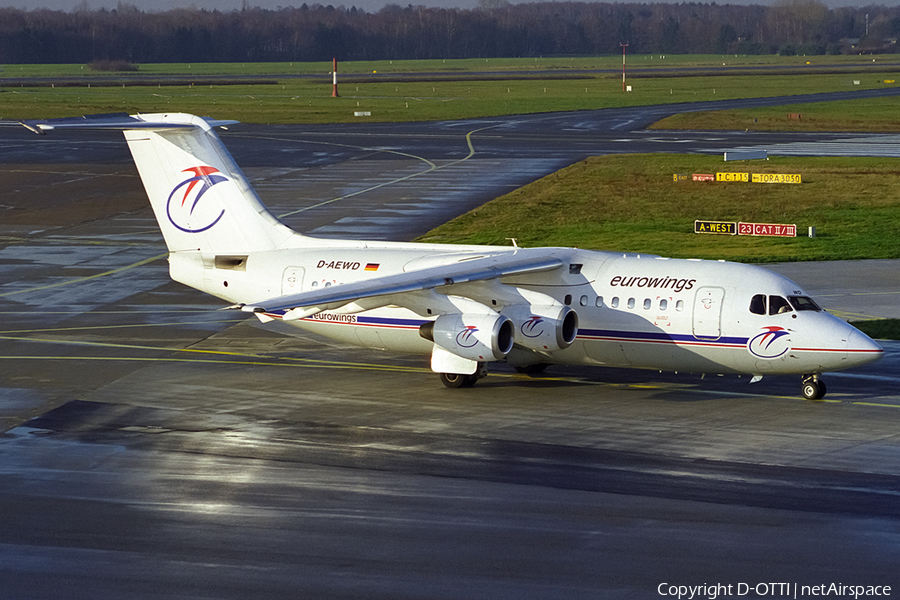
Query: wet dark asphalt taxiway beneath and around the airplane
(155,446)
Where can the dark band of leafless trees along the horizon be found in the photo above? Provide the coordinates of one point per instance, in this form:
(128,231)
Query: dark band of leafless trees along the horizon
(496,29)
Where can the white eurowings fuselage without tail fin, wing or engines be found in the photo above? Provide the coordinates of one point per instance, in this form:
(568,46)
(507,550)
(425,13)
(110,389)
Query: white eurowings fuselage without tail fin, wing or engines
(638,311)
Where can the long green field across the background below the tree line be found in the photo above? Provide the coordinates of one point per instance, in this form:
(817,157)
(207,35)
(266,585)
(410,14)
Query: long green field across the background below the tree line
(452,89)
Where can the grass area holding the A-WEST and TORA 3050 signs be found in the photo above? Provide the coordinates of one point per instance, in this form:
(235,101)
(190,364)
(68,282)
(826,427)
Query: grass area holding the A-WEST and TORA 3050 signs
(630,203)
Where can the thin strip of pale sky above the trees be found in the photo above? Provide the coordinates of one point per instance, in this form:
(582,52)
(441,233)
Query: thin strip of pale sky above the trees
(368,5)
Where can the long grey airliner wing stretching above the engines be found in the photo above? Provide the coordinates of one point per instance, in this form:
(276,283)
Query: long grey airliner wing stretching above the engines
(478,269)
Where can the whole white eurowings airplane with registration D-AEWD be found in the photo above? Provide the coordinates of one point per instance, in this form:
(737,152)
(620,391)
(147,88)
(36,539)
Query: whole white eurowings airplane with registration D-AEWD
(463,305)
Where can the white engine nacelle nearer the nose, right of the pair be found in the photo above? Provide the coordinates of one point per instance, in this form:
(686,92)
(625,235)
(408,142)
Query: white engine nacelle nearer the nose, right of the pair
(543,328)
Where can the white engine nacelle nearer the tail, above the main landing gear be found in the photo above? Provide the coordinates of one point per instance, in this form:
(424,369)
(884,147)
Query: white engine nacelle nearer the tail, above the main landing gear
(475,337)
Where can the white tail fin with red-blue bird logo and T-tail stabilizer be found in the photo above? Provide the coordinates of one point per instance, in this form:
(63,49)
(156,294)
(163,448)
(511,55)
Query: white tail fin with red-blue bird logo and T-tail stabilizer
(201,199)
